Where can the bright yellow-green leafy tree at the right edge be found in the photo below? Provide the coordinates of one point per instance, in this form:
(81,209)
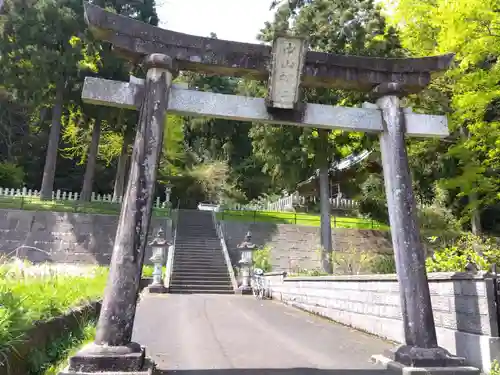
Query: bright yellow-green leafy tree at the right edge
(469,92)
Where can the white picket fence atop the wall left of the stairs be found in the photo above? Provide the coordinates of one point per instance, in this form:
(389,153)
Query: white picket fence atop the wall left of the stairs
(60,195)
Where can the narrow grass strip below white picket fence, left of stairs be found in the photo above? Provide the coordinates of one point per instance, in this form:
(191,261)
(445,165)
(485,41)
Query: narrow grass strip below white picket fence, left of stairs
(103,208)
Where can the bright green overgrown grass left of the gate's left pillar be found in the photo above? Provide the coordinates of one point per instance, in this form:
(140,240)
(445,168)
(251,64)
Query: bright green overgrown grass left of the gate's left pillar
(26,297)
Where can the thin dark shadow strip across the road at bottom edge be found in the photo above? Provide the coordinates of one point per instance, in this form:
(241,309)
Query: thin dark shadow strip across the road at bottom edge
(271,371)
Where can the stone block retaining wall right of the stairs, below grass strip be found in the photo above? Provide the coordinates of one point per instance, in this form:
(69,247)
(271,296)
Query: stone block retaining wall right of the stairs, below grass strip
(297,246)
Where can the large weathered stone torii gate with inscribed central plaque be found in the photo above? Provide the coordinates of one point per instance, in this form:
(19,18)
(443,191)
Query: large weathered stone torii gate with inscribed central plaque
(287,66)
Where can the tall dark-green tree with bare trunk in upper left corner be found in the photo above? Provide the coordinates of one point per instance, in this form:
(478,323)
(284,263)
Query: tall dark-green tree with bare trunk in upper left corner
(40,39)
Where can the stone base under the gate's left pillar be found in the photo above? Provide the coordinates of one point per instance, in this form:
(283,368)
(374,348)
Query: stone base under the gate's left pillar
(112,360)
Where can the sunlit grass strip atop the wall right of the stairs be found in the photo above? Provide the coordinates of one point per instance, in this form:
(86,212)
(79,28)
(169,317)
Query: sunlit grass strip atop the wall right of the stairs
(300,219)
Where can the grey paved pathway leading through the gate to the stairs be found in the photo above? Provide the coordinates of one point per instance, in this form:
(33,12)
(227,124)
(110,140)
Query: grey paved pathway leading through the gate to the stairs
(231,334)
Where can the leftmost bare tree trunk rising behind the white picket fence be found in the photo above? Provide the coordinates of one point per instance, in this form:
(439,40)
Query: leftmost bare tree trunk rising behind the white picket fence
(49,170)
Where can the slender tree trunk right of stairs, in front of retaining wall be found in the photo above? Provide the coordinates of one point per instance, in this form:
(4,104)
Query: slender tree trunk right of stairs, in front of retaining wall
(326,228)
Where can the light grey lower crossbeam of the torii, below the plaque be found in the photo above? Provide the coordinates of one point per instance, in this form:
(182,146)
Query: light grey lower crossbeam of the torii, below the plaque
(243,108)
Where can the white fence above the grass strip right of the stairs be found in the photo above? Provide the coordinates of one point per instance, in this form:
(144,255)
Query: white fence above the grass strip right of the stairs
(287,203)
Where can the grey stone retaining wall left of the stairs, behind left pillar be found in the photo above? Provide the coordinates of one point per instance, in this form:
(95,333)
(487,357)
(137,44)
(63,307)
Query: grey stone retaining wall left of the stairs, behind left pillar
(63,237)
